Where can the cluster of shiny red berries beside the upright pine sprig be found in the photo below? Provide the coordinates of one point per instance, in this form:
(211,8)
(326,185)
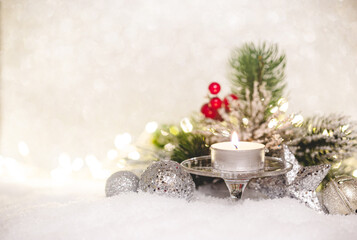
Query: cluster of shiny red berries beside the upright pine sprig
(210,109)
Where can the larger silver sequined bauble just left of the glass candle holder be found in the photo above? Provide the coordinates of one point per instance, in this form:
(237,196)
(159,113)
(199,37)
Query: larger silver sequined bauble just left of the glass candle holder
(167,178)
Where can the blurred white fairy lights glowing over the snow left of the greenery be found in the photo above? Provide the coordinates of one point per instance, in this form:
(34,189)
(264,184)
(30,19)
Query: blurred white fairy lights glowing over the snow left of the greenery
(69,168)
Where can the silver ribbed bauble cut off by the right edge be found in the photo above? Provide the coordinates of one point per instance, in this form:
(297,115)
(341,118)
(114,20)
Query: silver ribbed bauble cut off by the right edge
(340,195)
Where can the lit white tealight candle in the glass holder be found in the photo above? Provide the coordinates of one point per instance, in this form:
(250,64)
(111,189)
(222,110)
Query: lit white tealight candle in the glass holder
(237,155)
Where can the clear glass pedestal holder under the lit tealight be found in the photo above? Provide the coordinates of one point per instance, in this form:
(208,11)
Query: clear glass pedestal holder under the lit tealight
(236,181)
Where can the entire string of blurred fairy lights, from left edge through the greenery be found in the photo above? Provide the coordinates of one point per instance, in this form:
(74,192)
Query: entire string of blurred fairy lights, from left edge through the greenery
(123,155)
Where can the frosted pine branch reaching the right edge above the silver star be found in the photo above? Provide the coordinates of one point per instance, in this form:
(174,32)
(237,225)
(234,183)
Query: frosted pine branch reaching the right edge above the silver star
(330,139)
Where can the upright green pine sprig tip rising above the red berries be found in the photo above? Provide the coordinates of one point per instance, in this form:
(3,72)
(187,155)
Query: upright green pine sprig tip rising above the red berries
(258,63)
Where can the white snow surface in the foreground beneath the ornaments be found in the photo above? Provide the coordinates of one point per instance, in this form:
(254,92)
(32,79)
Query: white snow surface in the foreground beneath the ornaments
(82,211)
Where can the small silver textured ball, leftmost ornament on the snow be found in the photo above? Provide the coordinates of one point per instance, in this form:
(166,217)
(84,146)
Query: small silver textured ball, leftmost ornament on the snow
(120,182)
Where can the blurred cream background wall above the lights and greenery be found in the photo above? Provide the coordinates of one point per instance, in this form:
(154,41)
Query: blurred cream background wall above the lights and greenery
(74,74)
